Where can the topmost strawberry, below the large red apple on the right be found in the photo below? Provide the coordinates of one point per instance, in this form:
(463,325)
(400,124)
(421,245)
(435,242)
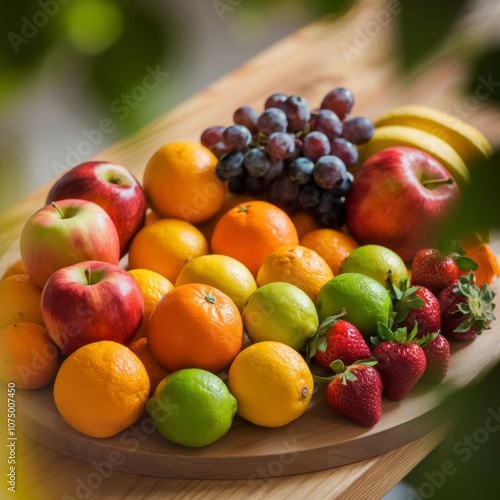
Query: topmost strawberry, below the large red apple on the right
(437,268)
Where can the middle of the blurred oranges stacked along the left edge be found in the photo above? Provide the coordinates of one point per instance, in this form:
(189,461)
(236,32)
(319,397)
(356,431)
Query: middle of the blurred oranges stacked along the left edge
(20,300)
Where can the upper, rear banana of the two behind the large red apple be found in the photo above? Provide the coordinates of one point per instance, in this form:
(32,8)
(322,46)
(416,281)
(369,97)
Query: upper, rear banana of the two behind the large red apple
(465,139)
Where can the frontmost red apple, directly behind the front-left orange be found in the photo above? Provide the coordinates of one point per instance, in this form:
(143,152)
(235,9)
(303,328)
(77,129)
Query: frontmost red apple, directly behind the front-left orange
(91,301)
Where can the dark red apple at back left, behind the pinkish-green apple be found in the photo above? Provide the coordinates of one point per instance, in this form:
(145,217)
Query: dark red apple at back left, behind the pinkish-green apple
(113,188)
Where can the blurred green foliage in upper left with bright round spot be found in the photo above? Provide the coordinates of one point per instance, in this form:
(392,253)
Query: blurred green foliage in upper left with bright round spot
(112,43)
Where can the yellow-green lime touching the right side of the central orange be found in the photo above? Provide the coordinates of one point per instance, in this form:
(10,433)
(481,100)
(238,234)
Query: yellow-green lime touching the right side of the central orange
(280,312)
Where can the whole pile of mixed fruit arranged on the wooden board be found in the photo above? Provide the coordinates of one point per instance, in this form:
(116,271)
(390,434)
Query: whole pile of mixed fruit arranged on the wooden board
(291,255)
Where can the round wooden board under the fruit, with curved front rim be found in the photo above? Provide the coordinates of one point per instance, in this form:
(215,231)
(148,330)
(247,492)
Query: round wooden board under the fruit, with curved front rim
(319,439)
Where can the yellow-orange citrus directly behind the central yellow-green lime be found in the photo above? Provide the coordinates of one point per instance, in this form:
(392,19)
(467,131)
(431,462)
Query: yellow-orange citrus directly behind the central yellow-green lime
(297,265)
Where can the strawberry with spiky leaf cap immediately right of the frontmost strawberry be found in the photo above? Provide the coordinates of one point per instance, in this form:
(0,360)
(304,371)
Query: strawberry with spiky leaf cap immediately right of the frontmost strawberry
(401,360)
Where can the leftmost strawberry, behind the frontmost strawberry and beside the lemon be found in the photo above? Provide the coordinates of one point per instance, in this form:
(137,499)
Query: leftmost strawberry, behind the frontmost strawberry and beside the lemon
(337,339)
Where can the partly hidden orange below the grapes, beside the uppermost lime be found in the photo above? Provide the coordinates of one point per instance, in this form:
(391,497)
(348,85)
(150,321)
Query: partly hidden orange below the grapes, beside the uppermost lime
(333,245)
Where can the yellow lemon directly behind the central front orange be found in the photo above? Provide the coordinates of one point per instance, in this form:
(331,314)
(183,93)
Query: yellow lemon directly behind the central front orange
(220,271)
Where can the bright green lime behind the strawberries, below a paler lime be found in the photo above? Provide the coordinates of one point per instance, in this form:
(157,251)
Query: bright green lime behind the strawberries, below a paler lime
(364,299)
